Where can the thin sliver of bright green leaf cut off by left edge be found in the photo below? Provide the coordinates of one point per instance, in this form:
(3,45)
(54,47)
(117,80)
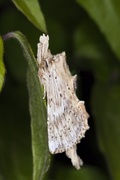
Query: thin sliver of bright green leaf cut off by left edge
(2,68)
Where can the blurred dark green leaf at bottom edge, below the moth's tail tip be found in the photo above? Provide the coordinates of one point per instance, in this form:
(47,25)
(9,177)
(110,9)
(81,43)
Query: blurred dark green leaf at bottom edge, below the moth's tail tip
(86,173)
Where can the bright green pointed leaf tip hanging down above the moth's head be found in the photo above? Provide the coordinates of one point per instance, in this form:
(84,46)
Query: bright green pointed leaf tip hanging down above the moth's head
(31,9)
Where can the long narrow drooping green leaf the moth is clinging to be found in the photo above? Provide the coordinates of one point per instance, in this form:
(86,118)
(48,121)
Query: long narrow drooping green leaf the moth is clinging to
(41,156)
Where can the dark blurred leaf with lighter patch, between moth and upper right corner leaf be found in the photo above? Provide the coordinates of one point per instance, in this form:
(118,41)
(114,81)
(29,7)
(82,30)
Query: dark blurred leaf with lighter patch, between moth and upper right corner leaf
(93,51)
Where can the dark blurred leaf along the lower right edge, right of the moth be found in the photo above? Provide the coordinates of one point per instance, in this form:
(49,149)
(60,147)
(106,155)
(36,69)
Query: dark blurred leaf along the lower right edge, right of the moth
(106,111)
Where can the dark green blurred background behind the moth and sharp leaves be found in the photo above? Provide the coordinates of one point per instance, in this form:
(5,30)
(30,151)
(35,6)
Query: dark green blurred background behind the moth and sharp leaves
(90,56)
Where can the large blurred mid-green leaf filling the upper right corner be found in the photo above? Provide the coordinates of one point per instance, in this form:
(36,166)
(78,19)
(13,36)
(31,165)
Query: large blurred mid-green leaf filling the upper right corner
(106,14)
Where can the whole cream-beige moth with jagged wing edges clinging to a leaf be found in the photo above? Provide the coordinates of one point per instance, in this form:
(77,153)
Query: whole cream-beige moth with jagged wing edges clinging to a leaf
(67,119)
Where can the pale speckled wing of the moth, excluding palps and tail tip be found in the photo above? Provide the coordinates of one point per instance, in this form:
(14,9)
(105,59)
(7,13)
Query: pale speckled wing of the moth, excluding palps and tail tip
(67,117)
